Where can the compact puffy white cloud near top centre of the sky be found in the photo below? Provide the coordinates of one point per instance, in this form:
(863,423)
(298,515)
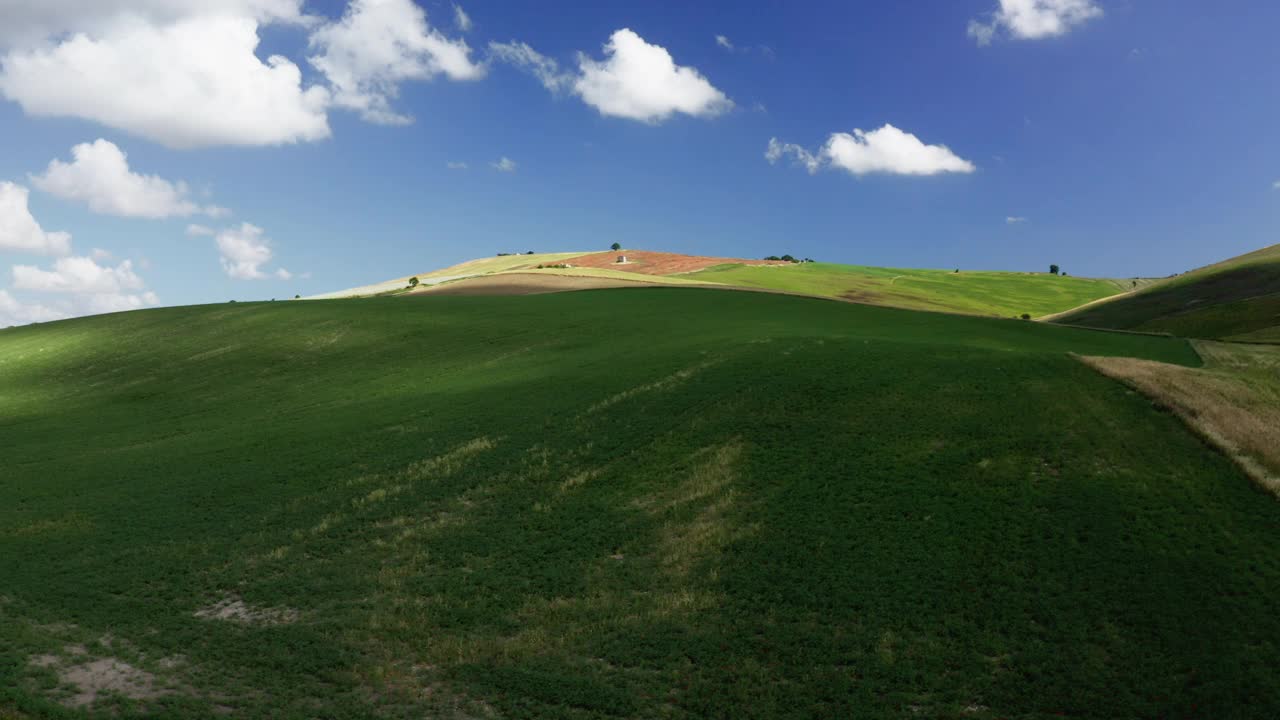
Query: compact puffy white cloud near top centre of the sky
(642,83)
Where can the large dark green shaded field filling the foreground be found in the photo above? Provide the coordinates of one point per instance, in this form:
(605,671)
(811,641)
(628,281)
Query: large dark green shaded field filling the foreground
(620,504)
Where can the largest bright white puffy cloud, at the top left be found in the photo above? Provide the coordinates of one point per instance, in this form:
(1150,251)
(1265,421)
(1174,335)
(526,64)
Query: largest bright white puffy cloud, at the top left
(195,81)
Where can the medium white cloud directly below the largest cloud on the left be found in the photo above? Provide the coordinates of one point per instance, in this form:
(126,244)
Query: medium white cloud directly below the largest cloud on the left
(99,175)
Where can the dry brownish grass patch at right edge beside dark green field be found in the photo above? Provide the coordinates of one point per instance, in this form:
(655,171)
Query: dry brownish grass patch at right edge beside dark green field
(1235,402)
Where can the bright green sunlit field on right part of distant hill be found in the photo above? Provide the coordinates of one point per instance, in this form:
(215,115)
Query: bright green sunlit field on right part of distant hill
(972,293)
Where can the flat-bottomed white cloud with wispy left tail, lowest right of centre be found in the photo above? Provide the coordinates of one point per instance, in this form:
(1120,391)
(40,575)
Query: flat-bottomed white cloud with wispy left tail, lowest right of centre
(884,151)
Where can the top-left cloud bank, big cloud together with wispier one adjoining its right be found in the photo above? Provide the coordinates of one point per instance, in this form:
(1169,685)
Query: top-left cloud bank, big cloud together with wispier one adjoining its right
(186,74)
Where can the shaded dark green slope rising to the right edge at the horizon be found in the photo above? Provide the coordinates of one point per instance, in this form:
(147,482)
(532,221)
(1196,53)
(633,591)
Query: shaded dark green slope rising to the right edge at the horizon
(1238,299)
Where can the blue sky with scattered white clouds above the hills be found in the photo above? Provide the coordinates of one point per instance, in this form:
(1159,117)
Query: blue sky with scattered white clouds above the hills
(1112,138)
